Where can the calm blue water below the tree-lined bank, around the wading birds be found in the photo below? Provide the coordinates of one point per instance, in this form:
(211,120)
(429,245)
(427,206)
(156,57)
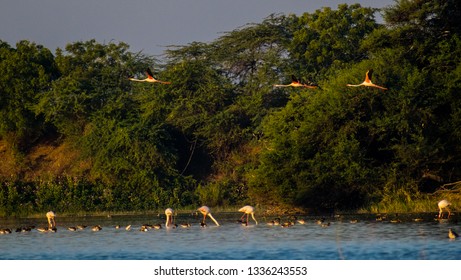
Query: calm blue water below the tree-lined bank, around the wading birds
(366,239)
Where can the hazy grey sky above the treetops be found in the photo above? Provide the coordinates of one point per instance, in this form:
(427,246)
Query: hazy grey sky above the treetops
(146,25)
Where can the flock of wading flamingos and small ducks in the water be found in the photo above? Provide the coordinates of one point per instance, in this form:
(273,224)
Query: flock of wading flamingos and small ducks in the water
(205,211)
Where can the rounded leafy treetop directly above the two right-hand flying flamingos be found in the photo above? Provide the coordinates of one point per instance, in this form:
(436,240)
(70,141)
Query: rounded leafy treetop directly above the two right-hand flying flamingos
(330,38)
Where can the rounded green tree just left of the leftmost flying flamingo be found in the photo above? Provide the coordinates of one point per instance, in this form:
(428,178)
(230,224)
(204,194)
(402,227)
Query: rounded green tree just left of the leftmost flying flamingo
(92,74)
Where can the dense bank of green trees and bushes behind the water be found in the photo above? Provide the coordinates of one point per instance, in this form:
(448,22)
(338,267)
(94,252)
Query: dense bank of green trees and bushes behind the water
(221,134)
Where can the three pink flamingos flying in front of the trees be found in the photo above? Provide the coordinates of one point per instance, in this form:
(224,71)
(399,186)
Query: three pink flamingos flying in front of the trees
(294,81)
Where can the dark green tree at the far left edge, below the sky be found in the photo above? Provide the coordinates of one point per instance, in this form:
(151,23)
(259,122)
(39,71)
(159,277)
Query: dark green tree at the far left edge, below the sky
(26,72)
